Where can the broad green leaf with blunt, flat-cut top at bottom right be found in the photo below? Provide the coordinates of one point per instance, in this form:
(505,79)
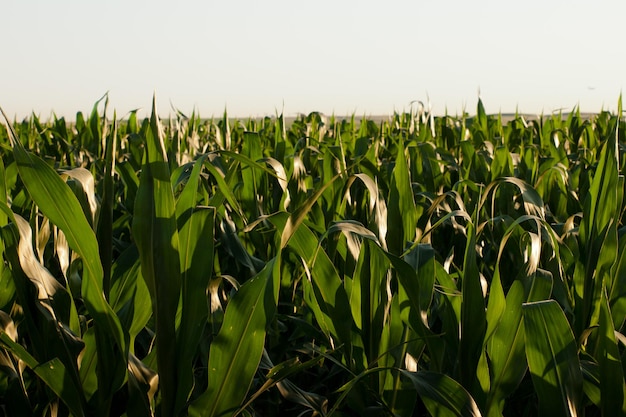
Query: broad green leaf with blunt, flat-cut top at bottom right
(553,359)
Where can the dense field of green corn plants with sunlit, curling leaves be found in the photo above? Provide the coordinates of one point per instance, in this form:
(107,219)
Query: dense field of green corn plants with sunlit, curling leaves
(421,265)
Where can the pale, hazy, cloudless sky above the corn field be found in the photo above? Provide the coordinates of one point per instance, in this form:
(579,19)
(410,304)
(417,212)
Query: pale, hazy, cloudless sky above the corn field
(258,58)
